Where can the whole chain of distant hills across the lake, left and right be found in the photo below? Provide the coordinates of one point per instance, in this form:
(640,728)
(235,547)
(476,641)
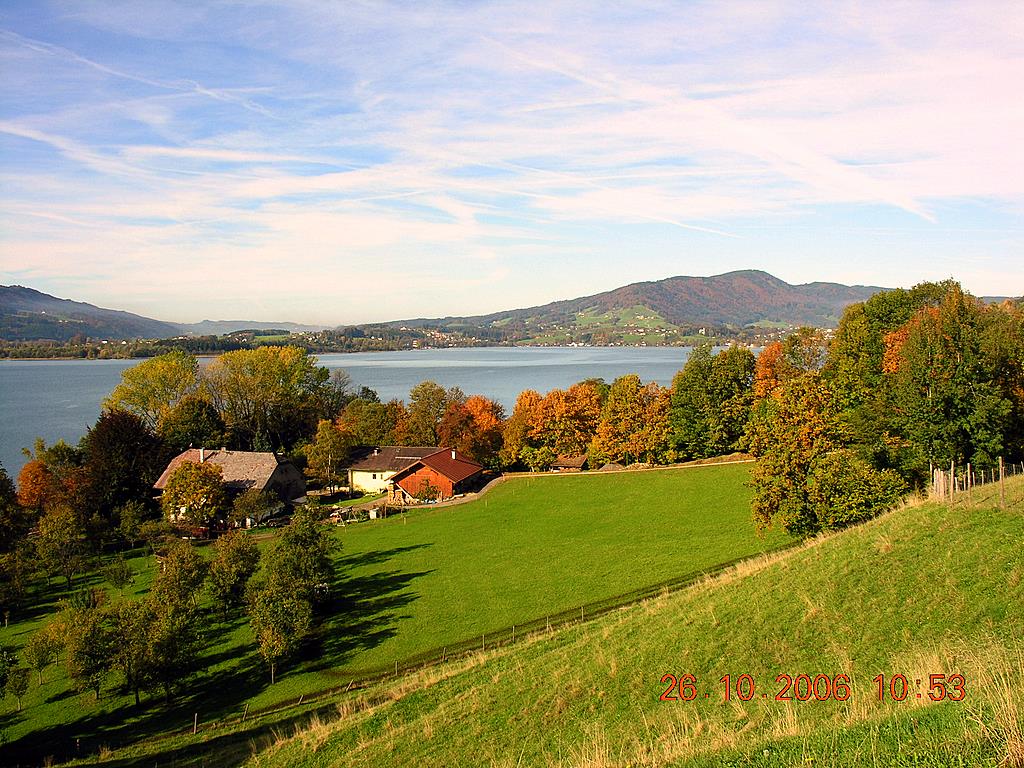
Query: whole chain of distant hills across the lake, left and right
(642,312)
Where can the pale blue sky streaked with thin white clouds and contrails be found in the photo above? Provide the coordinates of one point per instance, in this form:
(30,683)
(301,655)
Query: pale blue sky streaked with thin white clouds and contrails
(348,162)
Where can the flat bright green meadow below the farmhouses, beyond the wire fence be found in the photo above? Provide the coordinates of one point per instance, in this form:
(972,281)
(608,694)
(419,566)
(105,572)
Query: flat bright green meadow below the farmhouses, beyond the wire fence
(415,584)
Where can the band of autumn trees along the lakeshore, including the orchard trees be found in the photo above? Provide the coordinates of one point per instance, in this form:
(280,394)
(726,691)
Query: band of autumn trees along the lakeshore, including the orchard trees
(841,426)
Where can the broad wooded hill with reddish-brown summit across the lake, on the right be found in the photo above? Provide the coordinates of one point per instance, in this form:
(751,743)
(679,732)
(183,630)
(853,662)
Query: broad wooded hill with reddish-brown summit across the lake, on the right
(735,300)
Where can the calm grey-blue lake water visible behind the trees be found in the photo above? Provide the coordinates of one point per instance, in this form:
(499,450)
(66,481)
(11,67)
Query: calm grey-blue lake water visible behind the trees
(57,400)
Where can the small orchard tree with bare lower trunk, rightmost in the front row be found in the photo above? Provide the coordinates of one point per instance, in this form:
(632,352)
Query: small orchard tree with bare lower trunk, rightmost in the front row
(280,620)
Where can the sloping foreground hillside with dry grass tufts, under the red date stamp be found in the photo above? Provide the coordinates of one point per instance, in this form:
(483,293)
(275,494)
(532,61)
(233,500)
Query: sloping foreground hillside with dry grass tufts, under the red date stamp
(927,590)
